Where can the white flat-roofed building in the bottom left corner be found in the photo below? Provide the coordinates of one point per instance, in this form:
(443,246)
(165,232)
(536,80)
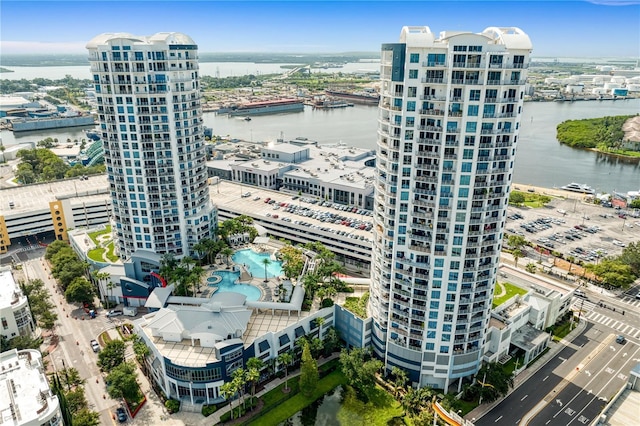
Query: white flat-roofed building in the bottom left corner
(25,396)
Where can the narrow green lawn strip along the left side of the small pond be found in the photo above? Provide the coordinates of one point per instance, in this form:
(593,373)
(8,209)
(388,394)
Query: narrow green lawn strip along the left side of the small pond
(283,410)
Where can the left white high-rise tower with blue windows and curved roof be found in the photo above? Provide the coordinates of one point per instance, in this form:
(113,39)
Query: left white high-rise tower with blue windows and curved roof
(150,117)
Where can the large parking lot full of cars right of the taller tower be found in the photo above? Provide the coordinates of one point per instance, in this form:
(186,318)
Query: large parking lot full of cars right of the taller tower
(573,228)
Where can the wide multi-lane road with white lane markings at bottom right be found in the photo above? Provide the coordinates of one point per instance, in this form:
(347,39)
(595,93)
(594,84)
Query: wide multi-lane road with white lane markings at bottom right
(575,385)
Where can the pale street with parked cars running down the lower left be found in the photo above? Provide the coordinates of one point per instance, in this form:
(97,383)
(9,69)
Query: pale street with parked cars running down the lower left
(73,349)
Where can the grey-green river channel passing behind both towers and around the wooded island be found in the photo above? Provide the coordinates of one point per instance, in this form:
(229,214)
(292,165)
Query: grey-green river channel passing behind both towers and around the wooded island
(540,160)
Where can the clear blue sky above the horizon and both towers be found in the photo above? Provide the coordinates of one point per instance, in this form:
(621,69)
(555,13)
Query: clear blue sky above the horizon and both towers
(576,28)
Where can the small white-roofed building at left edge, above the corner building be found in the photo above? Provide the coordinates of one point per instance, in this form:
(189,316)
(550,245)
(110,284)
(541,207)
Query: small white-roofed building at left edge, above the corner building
(14,307)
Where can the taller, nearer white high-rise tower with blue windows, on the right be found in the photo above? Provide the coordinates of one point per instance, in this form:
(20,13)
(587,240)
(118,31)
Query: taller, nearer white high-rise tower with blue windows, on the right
(448,123)
